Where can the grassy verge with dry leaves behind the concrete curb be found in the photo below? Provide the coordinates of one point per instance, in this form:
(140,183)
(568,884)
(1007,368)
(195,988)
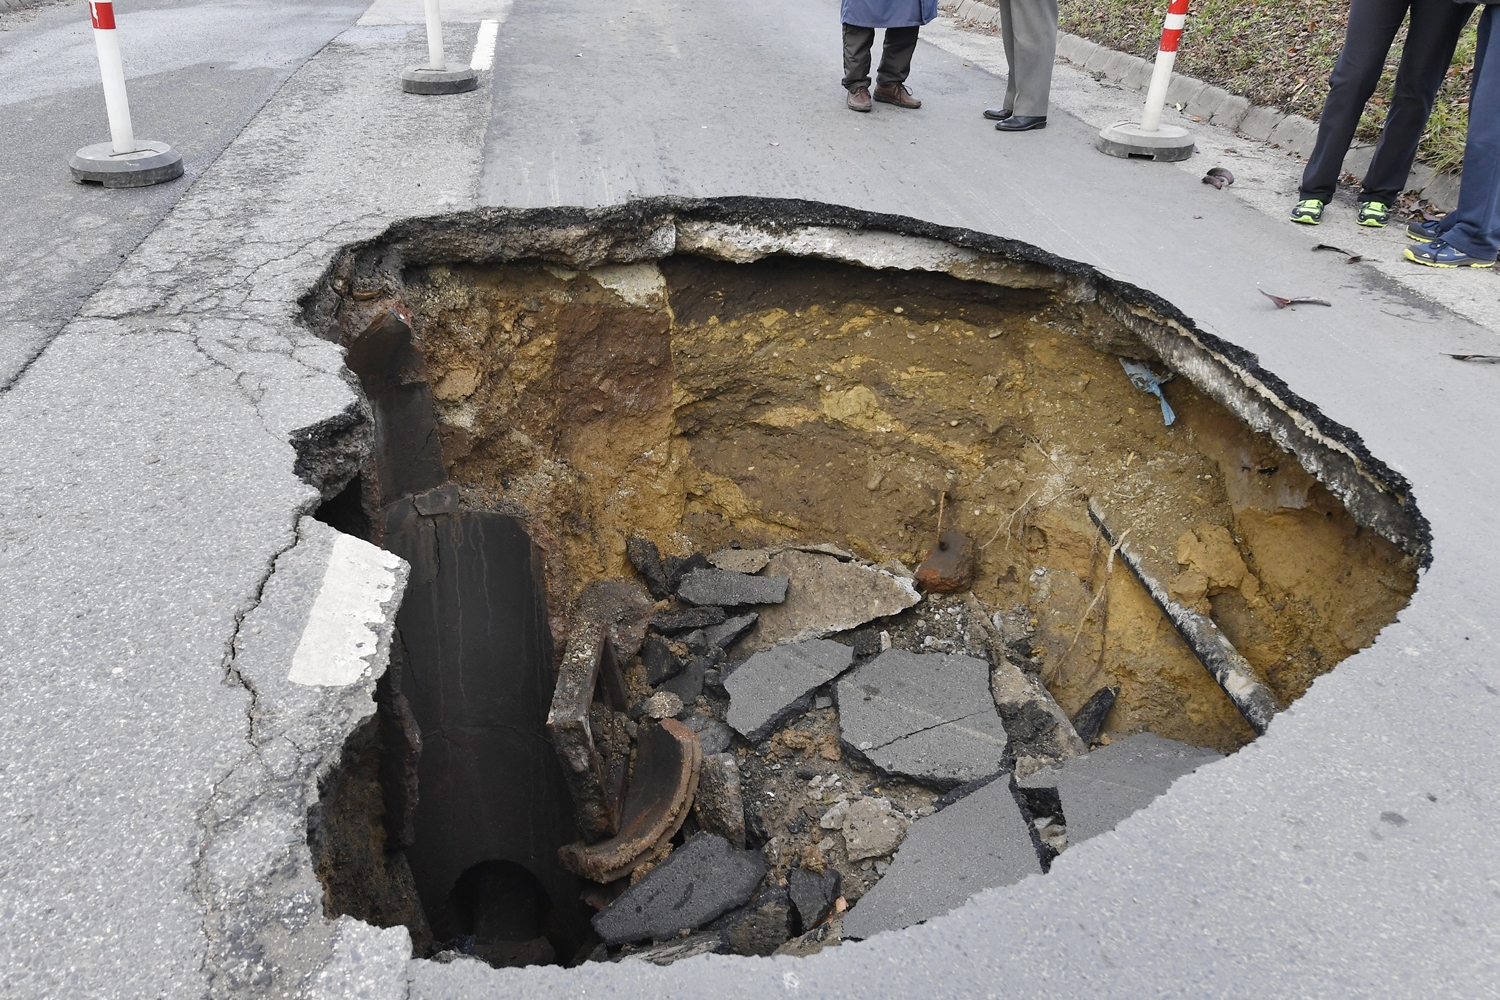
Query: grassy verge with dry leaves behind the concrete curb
(1279,53)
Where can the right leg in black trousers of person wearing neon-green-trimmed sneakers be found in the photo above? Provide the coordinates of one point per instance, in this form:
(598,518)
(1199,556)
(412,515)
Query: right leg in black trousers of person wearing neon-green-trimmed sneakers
(1432,40)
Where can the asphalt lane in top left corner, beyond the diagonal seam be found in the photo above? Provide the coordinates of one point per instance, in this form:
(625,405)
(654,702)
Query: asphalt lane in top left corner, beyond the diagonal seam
(196,71)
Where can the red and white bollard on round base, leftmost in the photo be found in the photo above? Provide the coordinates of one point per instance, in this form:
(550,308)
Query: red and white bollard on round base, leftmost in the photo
(124,161)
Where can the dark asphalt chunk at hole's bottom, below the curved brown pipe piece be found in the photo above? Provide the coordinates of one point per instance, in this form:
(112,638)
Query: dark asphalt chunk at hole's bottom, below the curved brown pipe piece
(698,882)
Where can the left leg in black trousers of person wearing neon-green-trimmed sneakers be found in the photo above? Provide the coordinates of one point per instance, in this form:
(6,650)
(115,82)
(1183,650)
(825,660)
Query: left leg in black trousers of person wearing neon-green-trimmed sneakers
(1372,29)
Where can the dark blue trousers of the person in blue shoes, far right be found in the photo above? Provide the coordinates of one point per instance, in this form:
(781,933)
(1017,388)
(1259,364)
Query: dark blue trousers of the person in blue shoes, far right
(1475,226)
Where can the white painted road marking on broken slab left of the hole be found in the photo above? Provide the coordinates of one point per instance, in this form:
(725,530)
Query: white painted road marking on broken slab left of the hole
(341,636)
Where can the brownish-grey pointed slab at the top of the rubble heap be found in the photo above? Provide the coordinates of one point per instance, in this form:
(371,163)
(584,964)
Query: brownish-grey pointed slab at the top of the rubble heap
(827,596)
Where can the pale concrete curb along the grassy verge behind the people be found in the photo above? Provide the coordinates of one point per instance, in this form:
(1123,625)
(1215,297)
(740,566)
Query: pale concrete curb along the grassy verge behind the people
(1213,104)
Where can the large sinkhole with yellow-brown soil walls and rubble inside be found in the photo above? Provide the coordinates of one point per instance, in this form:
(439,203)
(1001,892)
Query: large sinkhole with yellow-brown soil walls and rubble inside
(560,434)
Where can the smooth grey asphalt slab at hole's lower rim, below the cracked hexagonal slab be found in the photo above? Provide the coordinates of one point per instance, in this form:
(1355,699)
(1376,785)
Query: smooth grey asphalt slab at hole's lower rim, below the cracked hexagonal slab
(977,843)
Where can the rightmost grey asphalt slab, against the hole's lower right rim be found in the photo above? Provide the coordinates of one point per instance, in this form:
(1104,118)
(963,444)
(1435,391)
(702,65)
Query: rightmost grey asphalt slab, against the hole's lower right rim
(1102,789)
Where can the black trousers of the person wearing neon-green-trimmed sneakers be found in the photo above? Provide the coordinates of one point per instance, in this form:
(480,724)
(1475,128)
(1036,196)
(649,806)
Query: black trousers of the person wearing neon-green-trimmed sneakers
(1429,52)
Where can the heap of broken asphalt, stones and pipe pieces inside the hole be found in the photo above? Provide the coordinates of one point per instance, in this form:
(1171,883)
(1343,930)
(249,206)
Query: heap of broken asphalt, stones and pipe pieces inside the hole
(793,747)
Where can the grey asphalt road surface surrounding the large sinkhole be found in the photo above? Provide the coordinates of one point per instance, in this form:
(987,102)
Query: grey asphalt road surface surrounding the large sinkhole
(157,563)
